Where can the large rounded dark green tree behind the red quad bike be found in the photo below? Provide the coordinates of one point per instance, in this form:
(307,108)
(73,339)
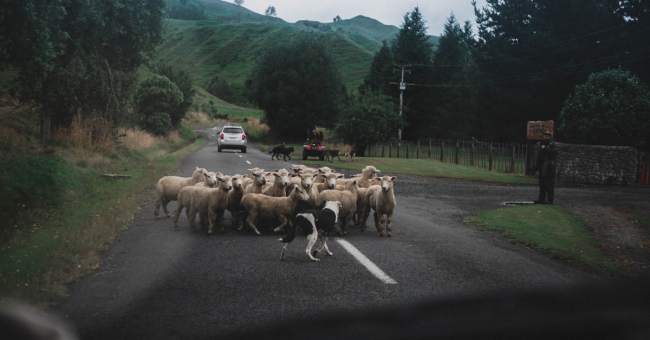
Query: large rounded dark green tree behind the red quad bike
(298,85)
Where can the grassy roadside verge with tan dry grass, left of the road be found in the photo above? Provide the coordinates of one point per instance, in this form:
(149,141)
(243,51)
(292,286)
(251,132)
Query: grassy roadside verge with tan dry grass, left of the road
(54,244)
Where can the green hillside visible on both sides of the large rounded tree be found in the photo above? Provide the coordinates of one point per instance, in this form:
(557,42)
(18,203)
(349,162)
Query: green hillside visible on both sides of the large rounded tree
(229,49)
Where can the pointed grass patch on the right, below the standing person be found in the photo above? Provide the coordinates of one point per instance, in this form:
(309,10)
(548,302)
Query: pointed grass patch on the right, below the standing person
(550,229)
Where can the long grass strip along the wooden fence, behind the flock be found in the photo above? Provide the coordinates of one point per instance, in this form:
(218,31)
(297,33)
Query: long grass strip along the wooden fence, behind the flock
(427,167)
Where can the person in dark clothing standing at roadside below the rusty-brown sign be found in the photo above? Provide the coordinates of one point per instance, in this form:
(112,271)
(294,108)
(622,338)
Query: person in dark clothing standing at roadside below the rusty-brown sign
(546,165)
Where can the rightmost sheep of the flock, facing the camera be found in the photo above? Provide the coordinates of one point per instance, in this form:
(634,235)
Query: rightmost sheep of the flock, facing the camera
(381,199)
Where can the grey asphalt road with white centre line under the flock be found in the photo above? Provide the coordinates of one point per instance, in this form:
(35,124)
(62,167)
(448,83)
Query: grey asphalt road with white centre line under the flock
(155,282)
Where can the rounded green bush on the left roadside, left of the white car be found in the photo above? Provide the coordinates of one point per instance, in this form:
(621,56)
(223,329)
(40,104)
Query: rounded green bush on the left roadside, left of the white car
(156,99)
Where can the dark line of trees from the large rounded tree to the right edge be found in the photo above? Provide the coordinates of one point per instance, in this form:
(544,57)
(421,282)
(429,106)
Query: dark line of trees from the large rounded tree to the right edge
(531,60)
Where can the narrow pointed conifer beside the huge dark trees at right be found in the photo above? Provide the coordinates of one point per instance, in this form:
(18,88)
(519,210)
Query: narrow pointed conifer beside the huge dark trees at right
(456,78)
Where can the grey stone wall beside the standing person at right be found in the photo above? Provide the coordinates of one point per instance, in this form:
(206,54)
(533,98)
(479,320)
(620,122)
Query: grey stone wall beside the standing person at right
(595,164)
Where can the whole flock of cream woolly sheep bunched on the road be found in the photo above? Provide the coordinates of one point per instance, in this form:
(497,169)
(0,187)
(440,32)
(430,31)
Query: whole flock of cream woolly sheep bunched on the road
(269,198)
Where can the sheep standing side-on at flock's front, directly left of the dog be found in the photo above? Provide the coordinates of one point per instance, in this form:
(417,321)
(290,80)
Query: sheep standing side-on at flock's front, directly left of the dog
(266,207)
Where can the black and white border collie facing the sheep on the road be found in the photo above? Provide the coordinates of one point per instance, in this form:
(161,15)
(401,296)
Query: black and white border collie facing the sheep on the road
(314,223)
